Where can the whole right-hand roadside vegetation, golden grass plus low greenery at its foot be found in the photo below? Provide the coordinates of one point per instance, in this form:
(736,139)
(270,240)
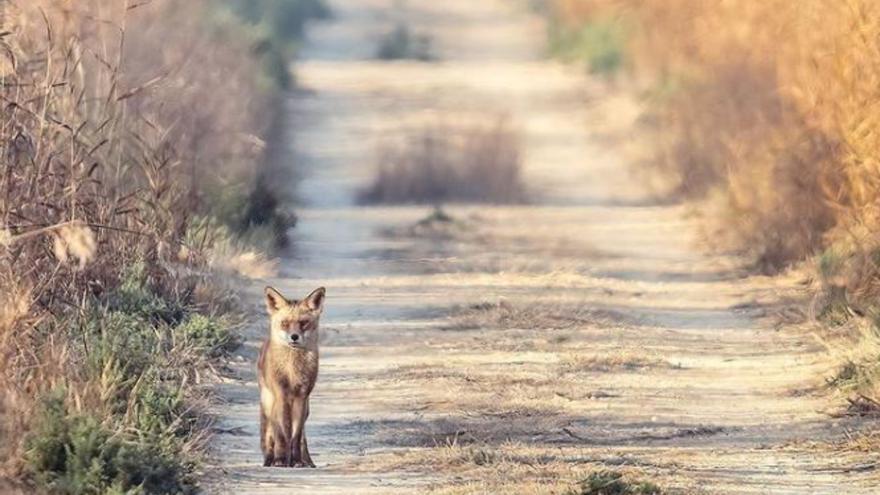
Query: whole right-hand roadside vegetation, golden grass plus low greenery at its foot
(768,110)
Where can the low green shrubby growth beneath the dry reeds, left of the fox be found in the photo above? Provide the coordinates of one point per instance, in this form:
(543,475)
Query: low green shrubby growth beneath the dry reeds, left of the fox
(134,438)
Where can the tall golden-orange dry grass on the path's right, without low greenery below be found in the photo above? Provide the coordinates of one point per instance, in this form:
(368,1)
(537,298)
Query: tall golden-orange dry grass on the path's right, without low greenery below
(772,102)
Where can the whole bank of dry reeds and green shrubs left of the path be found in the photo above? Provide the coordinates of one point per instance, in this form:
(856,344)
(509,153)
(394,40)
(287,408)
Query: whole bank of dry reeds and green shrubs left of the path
(131,141)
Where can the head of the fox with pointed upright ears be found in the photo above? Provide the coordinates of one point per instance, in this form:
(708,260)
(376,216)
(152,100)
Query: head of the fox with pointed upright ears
(294,323)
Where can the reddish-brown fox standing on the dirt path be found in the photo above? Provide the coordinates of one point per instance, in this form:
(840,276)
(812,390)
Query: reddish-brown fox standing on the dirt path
(287,370)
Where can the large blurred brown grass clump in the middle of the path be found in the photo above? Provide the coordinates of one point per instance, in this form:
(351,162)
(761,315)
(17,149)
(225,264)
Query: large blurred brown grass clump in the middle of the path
(441,163)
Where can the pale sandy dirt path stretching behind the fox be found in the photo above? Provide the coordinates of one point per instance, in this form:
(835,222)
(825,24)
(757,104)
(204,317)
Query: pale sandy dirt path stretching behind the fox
(585,331)
